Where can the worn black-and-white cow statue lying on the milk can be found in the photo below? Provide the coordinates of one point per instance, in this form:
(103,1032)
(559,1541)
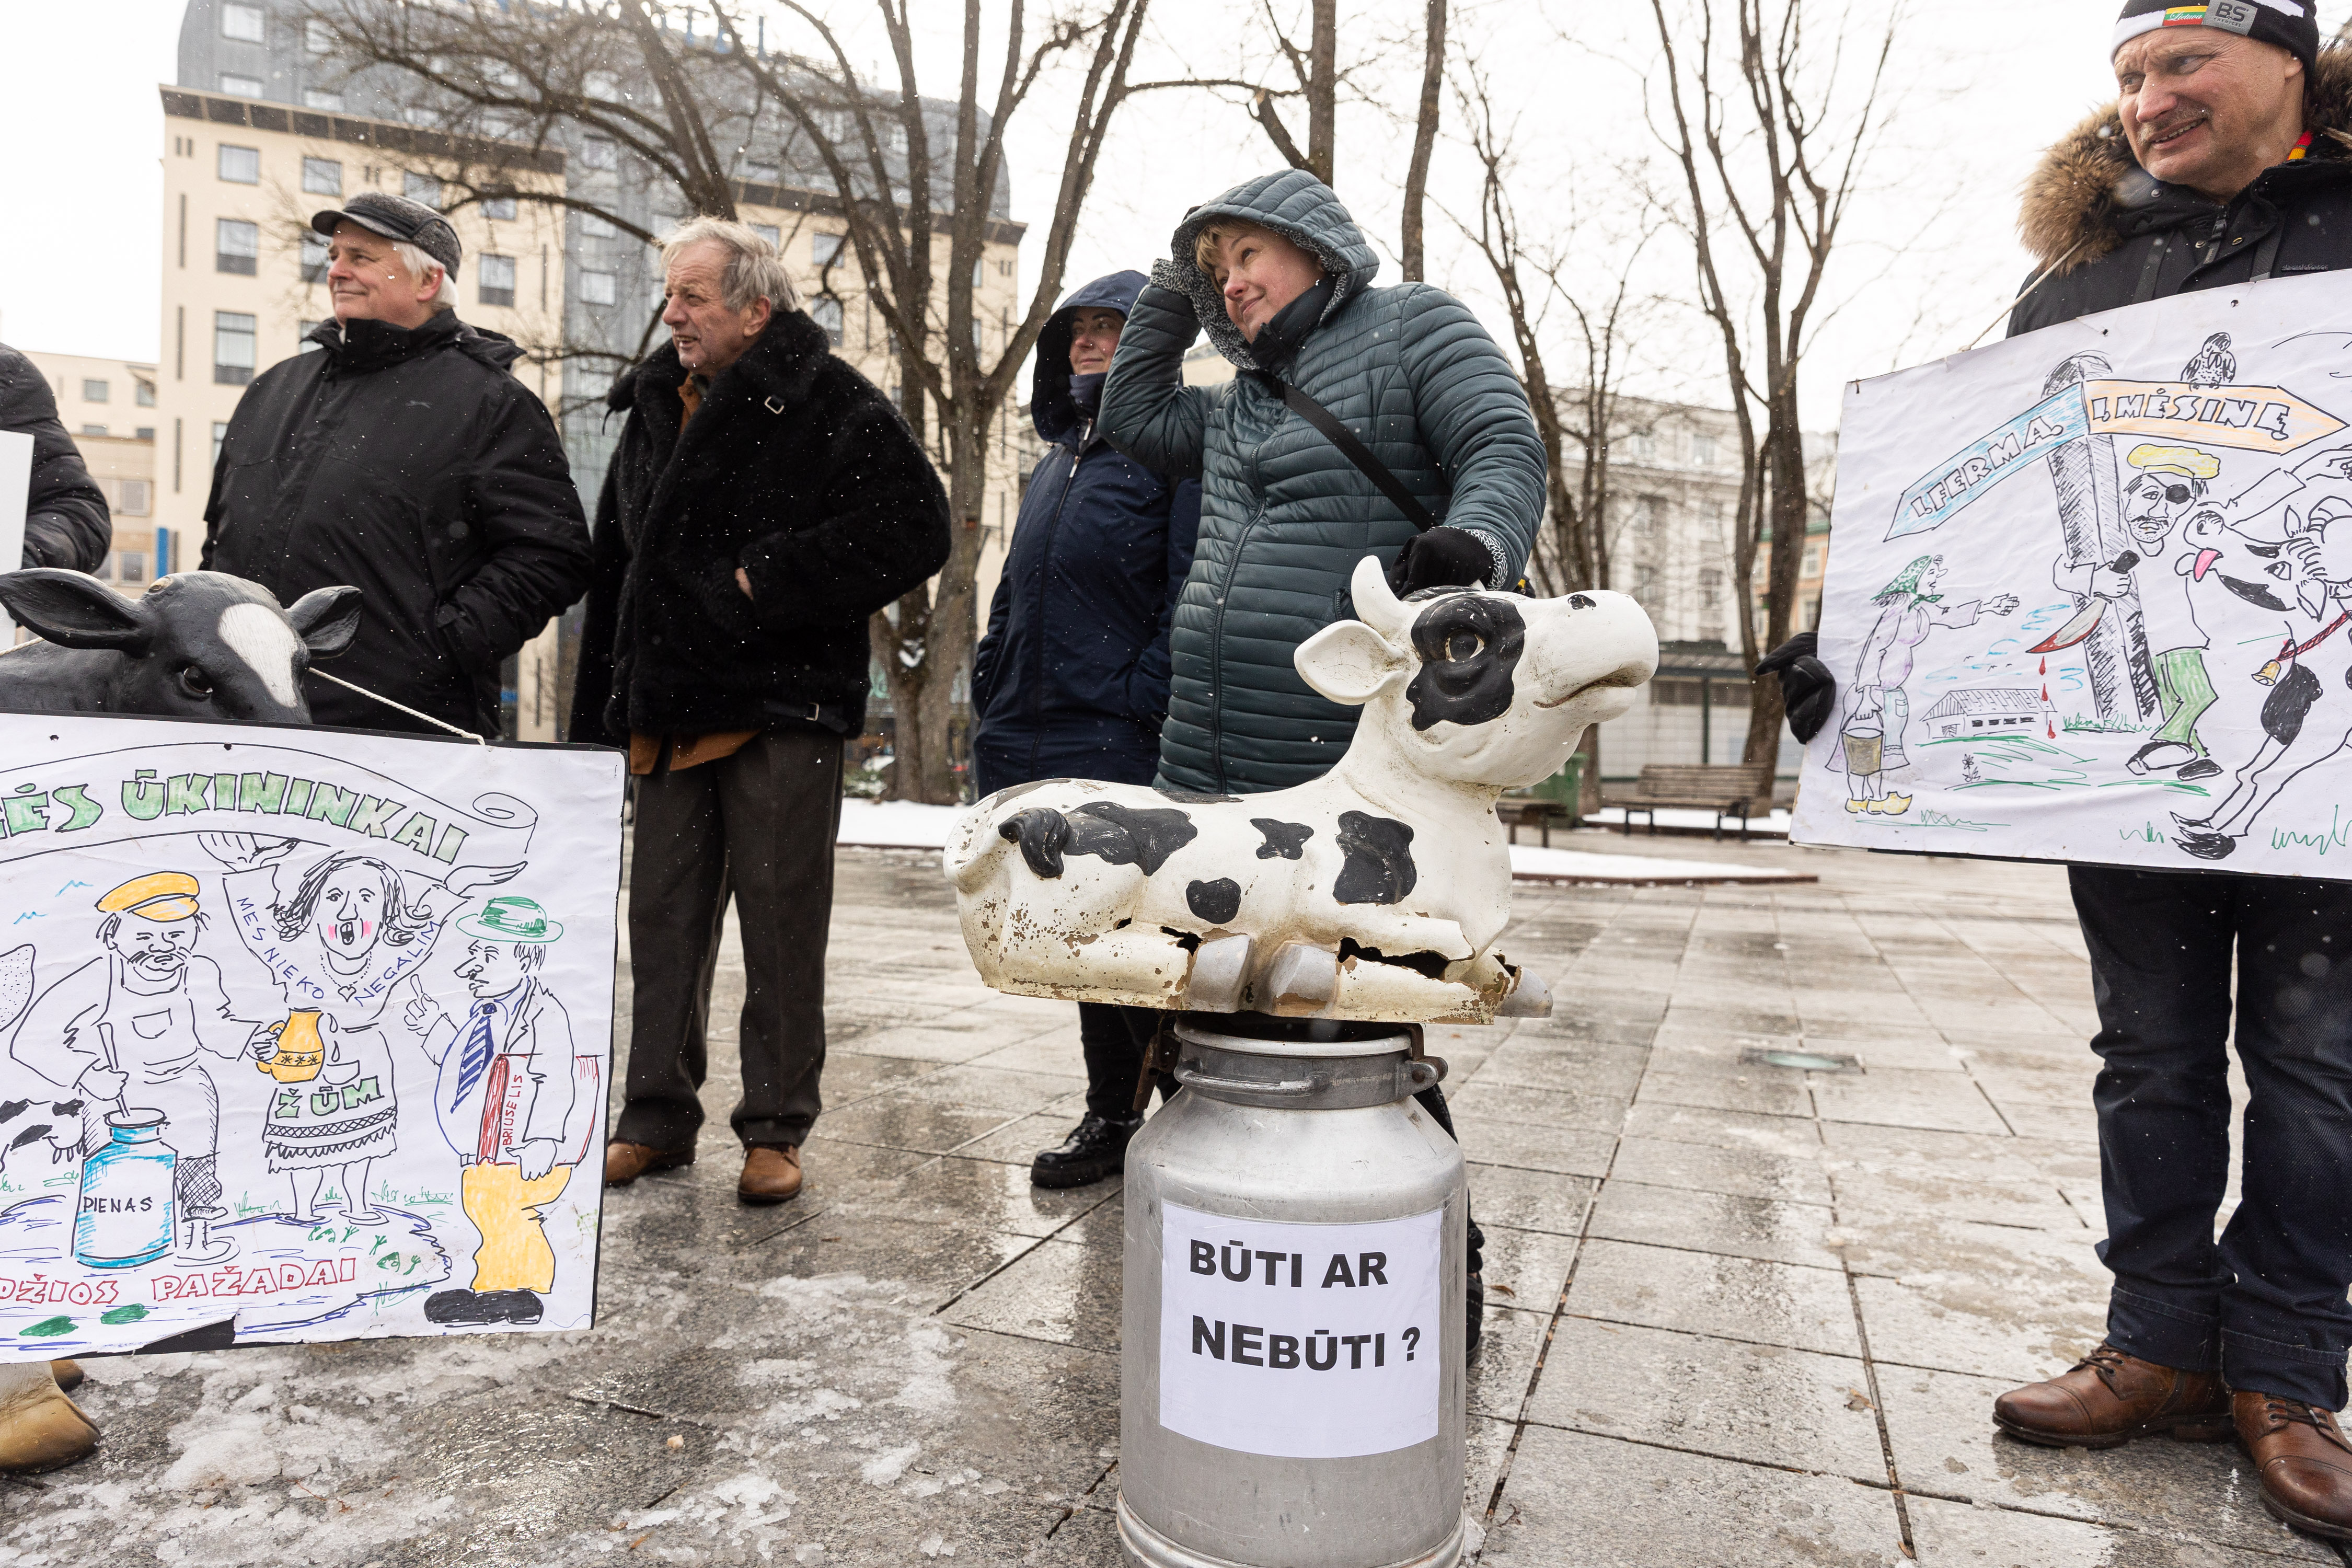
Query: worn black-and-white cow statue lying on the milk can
(1372,892)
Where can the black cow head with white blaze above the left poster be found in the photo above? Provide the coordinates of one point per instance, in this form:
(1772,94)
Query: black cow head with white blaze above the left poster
(199,645)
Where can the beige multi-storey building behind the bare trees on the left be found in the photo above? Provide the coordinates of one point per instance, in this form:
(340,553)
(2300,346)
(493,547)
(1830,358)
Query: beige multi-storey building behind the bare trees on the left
(573,286)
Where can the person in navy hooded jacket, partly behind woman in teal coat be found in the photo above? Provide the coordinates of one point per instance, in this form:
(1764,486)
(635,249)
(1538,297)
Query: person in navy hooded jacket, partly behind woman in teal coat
(1074,674)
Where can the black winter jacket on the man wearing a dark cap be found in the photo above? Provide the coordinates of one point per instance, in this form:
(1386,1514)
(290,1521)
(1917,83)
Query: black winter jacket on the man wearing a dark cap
(415,469)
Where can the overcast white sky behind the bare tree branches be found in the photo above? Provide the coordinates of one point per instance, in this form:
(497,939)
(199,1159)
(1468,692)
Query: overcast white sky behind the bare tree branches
(1927,264)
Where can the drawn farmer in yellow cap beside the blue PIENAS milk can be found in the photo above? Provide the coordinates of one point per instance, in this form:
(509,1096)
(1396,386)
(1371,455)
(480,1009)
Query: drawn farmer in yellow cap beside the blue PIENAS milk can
(133,1028)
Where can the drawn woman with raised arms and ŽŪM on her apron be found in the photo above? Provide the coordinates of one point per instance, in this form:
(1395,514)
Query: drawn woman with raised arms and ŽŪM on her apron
(338,946)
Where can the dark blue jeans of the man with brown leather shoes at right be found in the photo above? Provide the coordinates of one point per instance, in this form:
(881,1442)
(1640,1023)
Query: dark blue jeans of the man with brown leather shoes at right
(2266,1304)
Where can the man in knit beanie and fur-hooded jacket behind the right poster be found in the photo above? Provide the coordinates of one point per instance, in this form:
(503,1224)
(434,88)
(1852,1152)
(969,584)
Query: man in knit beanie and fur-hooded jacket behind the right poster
(2221,163)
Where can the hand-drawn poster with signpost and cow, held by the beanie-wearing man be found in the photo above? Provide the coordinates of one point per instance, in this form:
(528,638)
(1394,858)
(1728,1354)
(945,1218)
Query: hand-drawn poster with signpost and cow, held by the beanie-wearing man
(2090,596)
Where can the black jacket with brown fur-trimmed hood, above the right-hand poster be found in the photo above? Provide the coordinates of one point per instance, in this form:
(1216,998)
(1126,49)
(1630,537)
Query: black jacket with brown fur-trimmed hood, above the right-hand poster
(2116,236)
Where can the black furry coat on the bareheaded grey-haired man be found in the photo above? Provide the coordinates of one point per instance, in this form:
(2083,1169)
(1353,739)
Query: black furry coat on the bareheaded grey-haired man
(799,471)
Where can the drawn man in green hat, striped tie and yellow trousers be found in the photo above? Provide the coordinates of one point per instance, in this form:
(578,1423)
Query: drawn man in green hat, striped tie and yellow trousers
(505,1099)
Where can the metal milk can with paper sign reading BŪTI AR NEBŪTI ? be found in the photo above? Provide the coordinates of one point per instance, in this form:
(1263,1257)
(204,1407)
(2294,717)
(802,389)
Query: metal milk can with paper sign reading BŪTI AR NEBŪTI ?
(1292,1339)
